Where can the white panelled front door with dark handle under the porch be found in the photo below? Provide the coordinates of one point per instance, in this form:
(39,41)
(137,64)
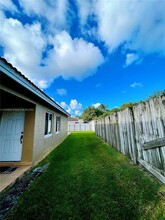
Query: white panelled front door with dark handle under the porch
(11,129)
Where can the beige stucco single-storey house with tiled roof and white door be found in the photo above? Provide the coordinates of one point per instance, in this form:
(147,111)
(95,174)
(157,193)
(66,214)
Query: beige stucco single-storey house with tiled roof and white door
(31,123)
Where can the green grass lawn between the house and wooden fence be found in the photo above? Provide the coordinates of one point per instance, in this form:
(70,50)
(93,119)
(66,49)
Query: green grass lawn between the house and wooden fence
(87,179)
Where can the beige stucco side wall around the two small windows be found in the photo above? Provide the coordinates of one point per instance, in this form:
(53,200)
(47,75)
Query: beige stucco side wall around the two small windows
(43,145)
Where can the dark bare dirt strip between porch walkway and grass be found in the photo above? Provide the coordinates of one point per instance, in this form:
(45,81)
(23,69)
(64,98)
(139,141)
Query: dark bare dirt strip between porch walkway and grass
(9,198)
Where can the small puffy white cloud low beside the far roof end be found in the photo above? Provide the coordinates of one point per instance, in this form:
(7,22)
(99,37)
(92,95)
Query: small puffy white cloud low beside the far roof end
(74,107)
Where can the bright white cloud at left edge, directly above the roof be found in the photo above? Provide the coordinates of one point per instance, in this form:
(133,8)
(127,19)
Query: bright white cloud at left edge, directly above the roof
(23,46)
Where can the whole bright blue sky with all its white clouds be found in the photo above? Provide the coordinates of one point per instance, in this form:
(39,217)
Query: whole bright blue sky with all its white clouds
(87,52)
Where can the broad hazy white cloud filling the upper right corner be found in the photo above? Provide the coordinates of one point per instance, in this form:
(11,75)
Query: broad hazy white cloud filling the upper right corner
(137,24)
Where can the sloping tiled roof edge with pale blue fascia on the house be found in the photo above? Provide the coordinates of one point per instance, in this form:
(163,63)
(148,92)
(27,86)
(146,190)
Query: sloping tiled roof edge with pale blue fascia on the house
(32,85)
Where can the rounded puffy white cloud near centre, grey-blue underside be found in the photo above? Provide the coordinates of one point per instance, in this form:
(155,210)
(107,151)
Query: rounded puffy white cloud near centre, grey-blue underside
(73,58)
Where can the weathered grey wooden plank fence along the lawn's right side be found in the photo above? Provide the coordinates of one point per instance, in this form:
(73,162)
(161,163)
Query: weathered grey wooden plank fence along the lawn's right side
(139,133)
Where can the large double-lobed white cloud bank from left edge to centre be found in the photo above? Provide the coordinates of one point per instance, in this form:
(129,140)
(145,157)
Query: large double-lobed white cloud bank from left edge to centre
(24,46)
